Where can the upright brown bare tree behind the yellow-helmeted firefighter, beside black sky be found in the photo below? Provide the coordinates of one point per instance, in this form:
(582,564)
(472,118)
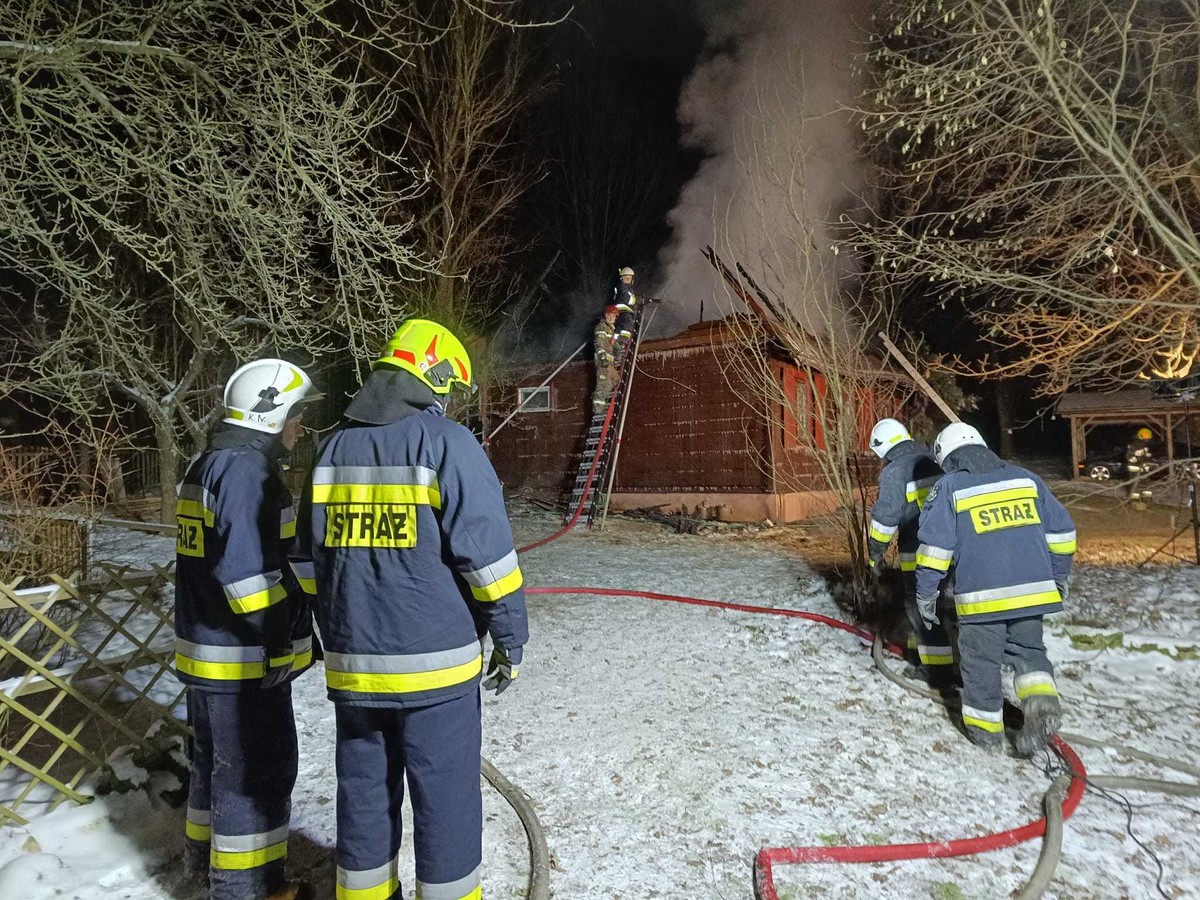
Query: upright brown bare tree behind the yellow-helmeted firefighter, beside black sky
(461,103)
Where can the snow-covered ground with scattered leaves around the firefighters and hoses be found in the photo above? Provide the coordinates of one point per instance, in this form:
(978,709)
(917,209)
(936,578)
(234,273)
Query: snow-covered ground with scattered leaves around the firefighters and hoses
(665,745)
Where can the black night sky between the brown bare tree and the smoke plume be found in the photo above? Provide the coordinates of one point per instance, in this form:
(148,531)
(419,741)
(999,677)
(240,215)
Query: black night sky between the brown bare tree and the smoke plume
(620,67)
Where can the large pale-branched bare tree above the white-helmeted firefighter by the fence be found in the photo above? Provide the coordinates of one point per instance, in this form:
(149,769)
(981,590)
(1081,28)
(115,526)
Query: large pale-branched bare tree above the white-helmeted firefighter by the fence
(188,185)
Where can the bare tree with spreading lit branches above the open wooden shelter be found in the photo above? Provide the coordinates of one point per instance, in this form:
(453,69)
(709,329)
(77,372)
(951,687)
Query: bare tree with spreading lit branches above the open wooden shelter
(1040,167)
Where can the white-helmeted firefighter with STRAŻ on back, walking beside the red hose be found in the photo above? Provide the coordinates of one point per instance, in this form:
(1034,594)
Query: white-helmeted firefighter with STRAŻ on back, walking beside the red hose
(1012,545)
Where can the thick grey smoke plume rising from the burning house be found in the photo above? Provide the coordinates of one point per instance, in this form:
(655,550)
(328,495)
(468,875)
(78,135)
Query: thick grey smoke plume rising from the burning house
(767,100)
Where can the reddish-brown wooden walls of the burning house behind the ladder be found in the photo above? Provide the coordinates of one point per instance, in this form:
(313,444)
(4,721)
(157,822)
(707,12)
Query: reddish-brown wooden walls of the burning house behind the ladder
(687,430)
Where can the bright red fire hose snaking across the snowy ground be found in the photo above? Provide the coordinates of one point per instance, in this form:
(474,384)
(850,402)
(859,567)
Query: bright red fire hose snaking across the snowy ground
(764,877)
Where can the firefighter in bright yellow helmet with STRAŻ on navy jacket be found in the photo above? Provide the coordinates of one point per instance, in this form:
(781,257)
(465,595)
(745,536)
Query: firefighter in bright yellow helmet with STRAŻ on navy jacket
(405,541)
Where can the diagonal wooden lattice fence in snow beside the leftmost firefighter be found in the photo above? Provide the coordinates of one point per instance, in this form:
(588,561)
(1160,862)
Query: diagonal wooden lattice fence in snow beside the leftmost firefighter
(85,669)
